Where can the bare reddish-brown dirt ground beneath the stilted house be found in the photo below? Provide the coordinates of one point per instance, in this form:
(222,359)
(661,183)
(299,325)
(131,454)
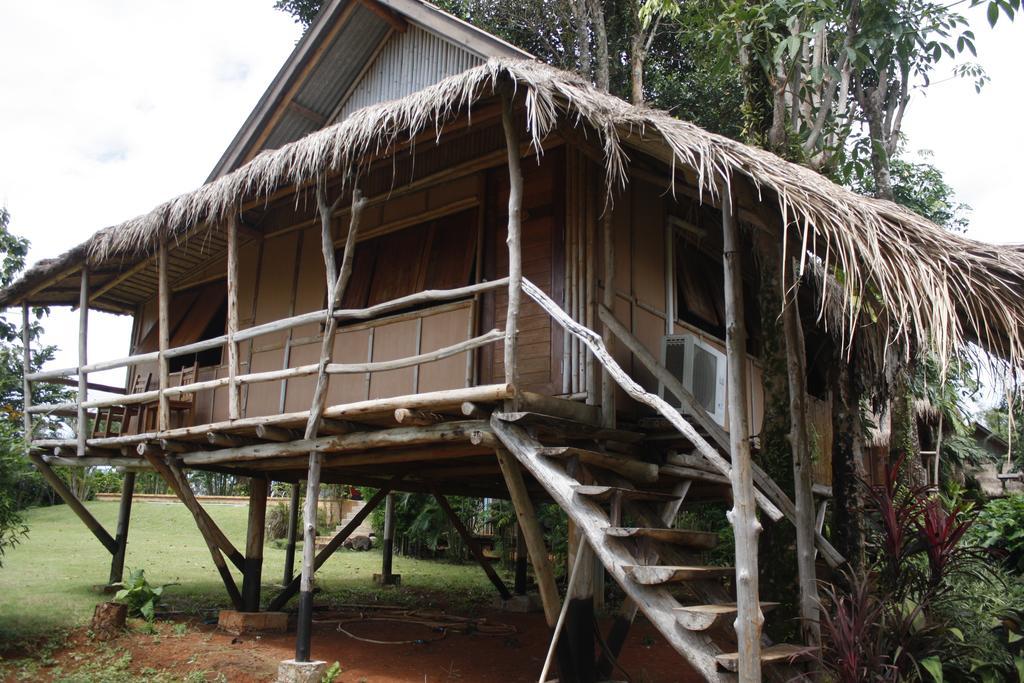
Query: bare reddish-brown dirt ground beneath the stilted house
(456,658)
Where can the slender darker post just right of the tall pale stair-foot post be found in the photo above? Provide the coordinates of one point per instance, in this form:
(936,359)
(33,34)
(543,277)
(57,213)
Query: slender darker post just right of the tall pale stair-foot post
(803,473)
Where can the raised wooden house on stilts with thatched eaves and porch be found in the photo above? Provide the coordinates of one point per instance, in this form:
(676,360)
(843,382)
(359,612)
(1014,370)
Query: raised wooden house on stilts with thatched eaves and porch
(430,264)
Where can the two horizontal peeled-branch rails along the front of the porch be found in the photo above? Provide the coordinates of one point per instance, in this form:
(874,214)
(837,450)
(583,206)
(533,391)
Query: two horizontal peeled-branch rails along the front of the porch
(63,375)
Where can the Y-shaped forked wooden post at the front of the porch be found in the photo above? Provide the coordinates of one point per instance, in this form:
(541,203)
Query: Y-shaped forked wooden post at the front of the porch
(335,291)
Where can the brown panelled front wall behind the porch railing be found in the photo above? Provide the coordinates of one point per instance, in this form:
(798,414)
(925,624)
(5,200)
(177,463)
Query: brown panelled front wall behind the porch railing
(283,275)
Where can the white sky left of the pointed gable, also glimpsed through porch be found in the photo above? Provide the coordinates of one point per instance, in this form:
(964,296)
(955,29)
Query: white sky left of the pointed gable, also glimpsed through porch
(111,107)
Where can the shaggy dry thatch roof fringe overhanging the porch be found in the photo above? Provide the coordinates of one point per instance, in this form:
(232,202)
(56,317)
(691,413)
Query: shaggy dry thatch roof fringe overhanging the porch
(937,289)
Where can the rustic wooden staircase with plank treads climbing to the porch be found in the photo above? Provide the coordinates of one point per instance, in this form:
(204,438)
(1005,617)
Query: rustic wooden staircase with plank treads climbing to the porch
(630,553)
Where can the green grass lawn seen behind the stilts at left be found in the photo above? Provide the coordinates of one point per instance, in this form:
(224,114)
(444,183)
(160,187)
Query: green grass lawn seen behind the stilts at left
(47,582)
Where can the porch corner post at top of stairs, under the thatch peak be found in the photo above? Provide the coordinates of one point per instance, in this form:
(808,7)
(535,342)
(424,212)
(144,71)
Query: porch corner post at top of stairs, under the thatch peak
(514,240)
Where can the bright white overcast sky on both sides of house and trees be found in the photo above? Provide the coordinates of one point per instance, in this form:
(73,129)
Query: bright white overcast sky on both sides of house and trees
(109,108)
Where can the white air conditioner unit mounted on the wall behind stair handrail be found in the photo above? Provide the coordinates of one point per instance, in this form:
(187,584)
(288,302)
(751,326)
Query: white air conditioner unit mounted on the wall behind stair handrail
(702,370)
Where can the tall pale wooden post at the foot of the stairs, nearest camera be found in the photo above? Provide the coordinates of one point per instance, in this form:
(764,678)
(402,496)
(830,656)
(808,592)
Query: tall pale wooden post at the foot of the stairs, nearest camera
(744,514)
